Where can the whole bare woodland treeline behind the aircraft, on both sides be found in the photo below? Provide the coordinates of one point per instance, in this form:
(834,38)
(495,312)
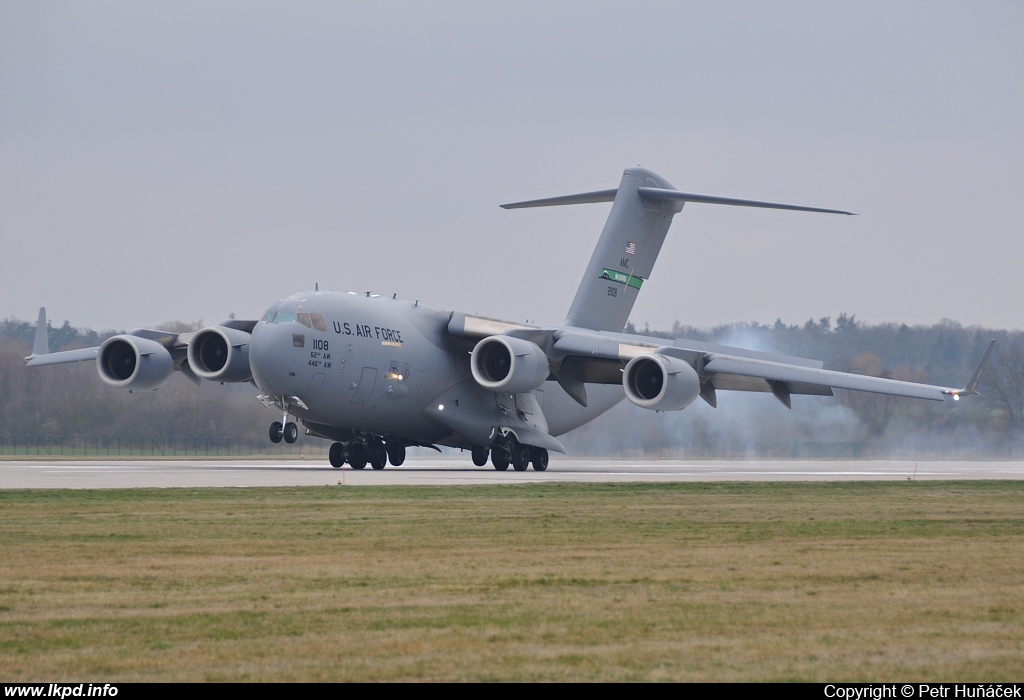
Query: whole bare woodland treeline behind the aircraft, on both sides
(66,401)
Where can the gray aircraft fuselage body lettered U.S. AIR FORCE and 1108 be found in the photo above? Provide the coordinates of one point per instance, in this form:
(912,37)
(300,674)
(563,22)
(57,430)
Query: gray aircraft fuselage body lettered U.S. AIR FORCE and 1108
(374,366)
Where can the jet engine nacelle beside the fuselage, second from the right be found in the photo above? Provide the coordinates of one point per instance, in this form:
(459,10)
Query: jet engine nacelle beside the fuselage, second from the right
(513,365)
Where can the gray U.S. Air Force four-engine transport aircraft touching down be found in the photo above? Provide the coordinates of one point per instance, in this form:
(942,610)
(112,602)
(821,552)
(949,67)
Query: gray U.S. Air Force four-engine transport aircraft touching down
(378,375)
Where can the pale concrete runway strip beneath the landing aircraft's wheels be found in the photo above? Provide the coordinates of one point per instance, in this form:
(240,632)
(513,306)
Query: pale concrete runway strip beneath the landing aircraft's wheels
(459,470)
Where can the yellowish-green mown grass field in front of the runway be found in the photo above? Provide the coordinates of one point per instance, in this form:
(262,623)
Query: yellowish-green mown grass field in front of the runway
(730,582)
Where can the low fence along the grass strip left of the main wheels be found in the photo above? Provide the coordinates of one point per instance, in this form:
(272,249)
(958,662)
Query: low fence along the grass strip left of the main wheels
(154,447)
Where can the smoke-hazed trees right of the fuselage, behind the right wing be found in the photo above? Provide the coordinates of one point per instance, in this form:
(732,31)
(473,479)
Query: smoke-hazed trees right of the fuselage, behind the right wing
(851,424)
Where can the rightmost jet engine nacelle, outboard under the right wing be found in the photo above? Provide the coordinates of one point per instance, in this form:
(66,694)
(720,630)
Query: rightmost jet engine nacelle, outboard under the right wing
(661,383)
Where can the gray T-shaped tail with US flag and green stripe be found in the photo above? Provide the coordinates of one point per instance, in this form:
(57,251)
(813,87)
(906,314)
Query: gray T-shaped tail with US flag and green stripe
(642,213)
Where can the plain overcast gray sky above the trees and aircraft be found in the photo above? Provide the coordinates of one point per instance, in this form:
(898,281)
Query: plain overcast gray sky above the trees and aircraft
(183,161)
